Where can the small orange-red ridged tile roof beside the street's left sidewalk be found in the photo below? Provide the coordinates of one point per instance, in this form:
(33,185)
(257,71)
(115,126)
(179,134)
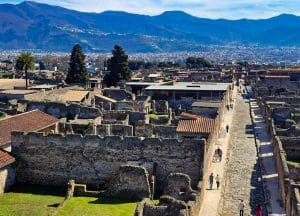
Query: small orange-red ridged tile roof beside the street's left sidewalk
(198,124)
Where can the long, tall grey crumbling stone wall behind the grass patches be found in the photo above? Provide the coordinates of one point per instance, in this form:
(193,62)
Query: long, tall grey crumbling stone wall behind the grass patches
(92,160)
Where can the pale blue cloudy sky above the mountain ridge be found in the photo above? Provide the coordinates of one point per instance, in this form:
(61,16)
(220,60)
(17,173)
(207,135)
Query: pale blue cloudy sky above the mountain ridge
(231,9)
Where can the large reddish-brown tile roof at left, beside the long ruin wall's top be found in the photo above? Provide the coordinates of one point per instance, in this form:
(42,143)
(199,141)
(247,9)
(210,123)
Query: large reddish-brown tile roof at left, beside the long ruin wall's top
(27,122)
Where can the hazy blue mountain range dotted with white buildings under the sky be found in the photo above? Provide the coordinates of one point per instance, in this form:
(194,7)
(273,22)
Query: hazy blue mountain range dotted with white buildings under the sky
(31,25)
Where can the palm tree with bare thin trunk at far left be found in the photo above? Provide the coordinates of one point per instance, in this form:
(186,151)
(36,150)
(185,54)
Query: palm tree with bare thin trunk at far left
(25,62)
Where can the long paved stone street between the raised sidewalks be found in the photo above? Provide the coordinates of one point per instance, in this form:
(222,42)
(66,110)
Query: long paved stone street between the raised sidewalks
(243,178)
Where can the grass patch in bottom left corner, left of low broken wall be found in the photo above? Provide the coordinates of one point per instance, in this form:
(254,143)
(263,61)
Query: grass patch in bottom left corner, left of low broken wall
(28,200)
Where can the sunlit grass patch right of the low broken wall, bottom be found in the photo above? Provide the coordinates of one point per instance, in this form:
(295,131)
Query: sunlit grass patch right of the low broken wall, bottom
(89,206)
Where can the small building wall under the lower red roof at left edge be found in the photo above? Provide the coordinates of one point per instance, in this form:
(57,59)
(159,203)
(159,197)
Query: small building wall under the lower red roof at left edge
(7,177)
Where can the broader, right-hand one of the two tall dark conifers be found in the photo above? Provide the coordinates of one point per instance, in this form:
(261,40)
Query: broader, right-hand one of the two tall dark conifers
(118,65)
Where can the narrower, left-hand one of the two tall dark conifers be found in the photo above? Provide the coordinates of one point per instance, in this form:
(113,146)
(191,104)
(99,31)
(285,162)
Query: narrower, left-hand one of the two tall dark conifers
(77,72)
